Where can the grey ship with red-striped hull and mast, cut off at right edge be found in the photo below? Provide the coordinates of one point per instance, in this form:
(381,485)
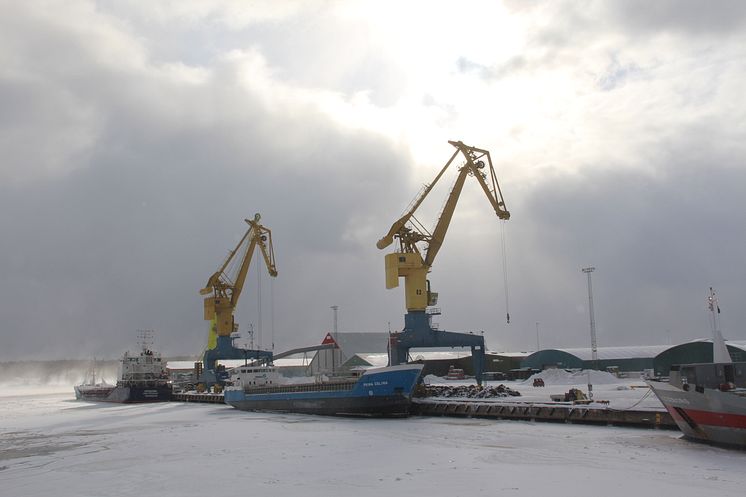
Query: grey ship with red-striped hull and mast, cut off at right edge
(708,400)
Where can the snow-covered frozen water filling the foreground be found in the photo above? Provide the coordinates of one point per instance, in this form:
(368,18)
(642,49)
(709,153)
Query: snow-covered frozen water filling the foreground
(53,445)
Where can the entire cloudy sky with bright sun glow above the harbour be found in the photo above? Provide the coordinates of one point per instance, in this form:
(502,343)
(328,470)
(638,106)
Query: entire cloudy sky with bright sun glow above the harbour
(136,137)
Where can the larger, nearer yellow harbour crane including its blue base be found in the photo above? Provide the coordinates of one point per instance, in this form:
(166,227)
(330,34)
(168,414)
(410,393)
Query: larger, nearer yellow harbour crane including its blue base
(408,262)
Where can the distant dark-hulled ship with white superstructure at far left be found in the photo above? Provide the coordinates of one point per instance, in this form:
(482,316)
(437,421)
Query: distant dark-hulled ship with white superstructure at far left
(142,378)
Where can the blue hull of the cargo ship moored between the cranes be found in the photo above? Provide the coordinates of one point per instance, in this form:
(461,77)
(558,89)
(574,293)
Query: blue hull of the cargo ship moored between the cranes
(378,392)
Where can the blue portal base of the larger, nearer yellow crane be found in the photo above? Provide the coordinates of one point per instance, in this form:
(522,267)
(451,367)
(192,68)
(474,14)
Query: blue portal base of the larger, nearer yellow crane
(418,333)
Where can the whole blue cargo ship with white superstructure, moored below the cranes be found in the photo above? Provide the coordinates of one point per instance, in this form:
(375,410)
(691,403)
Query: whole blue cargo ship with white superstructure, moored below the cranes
(385,391)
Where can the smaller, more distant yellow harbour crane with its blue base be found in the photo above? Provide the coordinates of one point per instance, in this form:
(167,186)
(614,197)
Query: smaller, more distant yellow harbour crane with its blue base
(222,293)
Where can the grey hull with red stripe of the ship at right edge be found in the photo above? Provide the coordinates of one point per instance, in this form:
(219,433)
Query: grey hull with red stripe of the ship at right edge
(704,414)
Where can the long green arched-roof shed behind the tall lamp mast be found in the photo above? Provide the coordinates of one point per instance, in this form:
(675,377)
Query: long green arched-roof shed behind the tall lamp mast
(637,358)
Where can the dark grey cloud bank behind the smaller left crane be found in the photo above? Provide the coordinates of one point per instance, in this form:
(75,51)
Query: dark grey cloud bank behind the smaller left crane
(127,241)
